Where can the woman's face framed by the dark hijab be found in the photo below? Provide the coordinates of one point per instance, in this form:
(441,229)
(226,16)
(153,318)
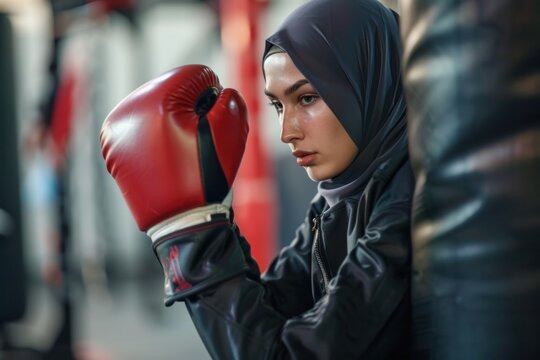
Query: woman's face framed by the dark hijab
(315,136)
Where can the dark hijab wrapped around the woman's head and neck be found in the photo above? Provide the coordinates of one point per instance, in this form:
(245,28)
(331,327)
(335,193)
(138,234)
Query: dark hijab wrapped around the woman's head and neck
(350,51)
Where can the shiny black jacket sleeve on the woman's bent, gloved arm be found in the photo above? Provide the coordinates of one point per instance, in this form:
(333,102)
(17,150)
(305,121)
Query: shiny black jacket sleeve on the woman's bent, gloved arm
(363,312)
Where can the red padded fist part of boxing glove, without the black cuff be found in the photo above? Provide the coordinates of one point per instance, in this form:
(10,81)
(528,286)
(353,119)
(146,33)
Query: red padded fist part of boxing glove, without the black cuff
(174,145)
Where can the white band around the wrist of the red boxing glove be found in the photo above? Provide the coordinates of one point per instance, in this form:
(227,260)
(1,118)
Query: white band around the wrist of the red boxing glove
(187,219)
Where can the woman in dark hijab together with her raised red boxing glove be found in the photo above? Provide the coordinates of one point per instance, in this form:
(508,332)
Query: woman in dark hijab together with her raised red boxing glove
(341,289)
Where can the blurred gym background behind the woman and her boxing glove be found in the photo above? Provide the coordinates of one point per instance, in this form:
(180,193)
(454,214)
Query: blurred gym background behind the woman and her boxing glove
(78,280)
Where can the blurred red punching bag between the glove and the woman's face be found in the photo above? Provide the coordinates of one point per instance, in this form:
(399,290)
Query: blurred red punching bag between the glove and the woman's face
(253,200)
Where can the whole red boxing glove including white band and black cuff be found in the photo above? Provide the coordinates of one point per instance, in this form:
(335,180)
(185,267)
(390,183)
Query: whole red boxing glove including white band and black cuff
(174,146)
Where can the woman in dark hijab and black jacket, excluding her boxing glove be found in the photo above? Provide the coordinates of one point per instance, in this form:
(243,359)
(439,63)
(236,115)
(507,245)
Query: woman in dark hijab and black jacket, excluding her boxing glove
(341,289)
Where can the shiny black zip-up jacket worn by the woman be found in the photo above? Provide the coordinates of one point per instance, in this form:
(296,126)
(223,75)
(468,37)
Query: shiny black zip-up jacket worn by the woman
(358,310)
